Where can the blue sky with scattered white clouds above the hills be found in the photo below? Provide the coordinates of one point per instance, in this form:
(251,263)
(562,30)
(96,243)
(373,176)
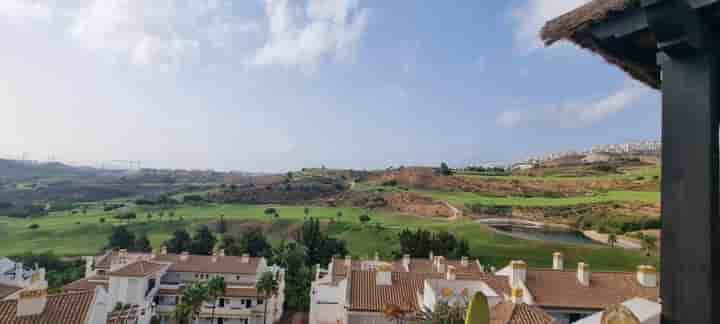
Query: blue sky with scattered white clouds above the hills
(272,85)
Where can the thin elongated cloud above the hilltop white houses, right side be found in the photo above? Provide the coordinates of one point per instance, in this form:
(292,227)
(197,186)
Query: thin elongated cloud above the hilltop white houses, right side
(576,113)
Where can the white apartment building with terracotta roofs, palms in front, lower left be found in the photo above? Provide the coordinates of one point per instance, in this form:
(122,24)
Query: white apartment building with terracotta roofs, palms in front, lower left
(153,283)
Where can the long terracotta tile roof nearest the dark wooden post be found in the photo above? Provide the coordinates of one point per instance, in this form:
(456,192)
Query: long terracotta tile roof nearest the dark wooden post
(561,289)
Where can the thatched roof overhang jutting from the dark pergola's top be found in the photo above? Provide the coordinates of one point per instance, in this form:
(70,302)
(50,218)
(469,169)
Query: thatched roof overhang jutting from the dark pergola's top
(635,55)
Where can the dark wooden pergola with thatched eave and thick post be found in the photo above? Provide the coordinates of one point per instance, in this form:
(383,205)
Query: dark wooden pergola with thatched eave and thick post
(672,46)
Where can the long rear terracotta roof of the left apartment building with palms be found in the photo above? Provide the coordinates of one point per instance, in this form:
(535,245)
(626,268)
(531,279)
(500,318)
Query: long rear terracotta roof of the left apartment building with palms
(204,263)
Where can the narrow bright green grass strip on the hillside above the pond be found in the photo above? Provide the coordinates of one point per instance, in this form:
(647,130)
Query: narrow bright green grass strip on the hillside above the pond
(460,198)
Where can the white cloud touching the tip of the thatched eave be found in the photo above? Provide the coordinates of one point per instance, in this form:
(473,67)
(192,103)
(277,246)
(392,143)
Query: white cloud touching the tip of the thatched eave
(531,15)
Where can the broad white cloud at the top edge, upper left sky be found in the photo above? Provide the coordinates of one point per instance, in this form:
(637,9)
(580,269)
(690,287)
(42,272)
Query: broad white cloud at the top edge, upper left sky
(147,32)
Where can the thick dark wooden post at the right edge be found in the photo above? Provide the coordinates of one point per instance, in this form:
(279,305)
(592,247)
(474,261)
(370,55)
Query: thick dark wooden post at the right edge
(690,232)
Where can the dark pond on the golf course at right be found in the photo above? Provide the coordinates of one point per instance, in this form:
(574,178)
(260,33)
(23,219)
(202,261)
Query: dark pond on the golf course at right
(544,234)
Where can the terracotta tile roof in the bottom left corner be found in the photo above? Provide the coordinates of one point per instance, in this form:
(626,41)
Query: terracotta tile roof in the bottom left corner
(66,308)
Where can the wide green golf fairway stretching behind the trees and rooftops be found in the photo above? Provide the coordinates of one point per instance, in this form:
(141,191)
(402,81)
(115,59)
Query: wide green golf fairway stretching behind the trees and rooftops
(66,234)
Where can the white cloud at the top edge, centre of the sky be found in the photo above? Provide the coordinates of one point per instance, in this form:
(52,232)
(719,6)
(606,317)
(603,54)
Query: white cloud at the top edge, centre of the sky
(304,36)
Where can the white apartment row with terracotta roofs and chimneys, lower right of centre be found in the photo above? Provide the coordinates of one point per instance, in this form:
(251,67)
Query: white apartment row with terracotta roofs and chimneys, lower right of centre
(358,291)
